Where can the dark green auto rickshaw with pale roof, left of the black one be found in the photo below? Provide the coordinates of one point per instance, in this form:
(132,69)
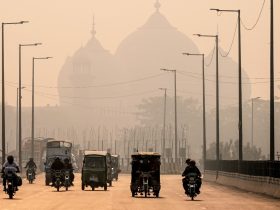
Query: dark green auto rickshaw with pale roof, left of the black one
(96,170)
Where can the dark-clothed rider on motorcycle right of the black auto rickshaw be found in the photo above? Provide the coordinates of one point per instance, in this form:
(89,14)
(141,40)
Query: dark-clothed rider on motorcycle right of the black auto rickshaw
(191,168)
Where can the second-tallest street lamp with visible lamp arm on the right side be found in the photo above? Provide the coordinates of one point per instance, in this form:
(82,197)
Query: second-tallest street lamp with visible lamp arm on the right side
(217,94)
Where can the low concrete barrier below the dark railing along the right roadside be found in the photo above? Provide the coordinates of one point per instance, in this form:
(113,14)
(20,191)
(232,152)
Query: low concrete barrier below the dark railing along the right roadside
(265,185)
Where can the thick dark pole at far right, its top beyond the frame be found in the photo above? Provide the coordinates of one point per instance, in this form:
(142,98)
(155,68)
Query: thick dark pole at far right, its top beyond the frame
(271,83)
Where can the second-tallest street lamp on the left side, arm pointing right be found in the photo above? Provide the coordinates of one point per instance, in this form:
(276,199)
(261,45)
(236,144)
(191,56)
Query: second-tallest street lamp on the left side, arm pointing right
(19,88)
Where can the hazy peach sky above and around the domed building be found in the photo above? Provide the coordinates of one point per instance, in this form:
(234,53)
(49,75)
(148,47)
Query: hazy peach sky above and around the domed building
(63,26)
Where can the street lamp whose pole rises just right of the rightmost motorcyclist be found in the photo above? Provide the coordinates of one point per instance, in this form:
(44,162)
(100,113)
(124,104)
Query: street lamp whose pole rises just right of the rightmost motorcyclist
(203,102)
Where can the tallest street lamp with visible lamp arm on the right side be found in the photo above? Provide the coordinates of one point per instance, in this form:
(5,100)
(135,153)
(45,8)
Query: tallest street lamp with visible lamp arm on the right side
(240,127)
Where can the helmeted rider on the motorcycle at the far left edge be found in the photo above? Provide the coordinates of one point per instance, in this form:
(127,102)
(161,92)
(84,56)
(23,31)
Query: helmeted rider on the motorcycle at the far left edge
(10,165)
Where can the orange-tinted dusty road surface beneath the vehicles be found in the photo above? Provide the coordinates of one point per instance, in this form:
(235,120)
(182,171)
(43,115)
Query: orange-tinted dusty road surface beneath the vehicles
(39,197)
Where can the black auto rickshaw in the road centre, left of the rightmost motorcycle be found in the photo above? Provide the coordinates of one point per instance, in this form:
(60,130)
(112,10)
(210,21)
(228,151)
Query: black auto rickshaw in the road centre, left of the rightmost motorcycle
(145,174)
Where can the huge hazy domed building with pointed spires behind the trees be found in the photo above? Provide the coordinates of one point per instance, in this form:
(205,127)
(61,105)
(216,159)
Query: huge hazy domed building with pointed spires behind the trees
(136,66)
